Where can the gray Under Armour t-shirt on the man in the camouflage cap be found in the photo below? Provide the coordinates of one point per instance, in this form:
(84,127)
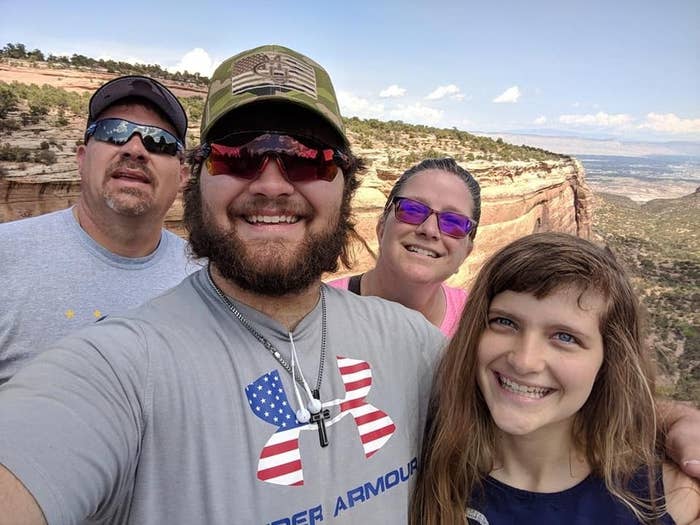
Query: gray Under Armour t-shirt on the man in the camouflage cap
(175,413)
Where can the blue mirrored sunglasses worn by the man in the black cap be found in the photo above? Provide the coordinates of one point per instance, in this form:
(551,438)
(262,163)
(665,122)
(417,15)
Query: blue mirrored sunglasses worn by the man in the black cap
(119,132)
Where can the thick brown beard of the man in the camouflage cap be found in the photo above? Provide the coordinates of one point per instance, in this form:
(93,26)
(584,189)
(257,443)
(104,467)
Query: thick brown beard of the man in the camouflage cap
(273,270)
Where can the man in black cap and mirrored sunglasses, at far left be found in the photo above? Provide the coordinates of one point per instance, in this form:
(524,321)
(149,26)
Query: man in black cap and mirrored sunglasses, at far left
(109,252)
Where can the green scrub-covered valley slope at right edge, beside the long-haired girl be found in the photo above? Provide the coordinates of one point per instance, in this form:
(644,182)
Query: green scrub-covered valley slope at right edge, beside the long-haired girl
(659,243)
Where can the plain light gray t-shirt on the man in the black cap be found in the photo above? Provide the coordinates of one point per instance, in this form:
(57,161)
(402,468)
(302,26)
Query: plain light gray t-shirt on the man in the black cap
(54,278)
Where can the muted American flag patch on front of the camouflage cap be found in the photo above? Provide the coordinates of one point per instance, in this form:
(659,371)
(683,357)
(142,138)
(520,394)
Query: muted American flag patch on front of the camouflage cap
(272,70)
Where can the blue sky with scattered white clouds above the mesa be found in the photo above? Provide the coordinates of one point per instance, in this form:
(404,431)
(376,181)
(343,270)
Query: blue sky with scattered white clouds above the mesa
(624,68)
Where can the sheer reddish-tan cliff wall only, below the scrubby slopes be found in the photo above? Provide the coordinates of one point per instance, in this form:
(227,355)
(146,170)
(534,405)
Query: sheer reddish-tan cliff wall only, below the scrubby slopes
(518,198)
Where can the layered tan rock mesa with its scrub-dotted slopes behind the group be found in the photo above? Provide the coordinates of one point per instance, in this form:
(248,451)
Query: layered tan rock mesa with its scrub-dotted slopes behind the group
(538,192)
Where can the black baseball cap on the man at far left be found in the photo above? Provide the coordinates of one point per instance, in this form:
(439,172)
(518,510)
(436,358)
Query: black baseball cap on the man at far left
(142,87)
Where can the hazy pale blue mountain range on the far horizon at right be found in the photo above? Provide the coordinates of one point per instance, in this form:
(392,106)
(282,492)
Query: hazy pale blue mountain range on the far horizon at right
(571,144)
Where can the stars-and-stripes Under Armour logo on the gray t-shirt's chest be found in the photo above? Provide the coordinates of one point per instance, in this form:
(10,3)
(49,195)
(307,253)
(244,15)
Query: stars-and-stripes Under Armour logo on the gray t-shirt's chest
(280,459)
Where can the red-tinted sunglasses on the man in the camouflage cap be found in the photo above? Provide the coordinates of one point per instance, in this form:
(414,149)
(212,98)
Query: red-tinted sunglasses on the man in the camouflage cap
(297,161)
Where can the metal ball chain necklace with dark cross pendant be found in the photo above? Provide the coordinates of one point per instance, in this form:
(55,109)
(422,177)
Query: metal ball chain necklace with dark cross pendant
(319,417)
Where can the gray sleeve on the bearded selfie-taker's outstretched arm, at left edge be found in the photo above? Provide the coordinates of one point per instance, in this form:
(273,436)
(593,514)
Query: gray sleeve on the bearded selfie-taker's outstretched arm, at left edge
(72,422)
